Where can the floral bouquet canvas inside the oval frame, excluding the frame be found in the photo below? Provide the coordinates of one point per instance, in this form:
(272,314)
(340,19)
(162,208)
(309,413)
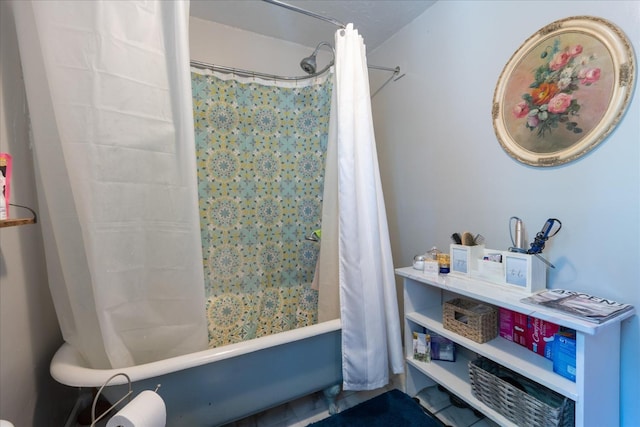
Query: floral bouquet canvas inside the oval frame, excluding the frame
(559,92)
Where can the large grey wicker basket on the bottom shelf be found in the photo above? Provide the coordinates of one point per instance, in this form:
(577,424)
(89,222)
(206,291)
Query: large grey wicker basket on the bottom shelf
(519,399)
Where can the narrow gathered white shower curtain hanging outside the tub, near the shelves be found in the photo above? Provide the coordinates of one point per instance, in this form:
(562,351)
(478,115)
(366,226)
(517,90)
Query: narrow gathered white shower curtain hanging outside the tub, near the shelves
(371,341)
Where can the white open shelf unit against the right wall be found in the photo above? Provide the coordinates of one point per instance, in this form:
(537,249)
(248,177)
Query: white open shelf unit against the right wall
(596,391)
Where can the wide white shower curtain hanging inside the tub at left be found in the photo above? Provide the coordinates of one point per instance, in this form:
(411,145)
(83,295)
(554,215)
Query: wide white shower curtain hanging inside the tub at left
(109,96)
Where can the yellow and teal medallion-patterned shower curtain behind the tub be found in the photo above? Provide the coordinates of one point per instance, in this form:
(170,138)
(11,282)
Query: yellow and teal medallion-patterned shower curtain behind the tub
(260,154)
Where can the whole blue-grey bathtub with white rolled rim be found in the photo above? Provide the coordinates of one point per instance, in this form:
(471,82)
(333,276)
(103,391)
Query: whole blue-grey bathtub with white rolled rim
(217,386)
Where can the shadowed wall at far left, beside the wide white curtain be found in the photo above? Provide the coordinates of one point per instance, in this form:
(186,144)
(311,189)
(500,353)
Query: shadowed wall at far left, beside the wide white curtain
(29,332)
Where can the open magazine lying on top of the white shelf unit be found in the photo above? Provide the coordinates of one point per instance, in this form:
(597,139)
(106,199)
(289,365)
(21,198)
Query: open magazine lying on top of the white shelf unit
(583,306)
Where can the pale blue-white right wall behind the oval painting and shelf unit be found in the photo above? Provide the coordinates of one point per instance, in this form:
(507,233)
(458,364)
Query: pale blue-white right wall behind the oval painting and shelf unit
(443,170)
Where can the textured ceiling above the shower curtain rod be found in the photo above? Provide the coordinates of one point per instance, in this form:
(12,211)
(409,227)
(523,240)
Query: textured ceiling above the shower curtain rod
(376,20)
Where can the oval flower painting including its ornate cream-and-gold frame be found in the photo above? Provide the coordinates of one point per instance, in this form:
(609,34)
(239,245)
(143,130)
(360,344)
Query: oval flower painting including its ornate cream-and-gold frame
(563,91)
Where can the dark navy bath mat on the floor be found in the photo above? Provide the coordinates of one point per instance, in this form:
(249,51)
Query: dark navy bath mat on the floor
(391,409)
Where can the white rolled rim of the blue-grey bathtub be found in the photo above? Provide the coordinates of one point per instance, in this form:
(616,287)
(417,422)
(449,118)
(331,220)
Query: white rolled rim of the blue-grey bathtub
(69,367)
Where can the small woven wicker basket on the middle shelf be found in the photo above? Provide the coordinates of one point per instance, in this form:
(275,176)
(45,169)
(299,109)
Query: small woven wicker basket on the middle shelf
(471,319)
